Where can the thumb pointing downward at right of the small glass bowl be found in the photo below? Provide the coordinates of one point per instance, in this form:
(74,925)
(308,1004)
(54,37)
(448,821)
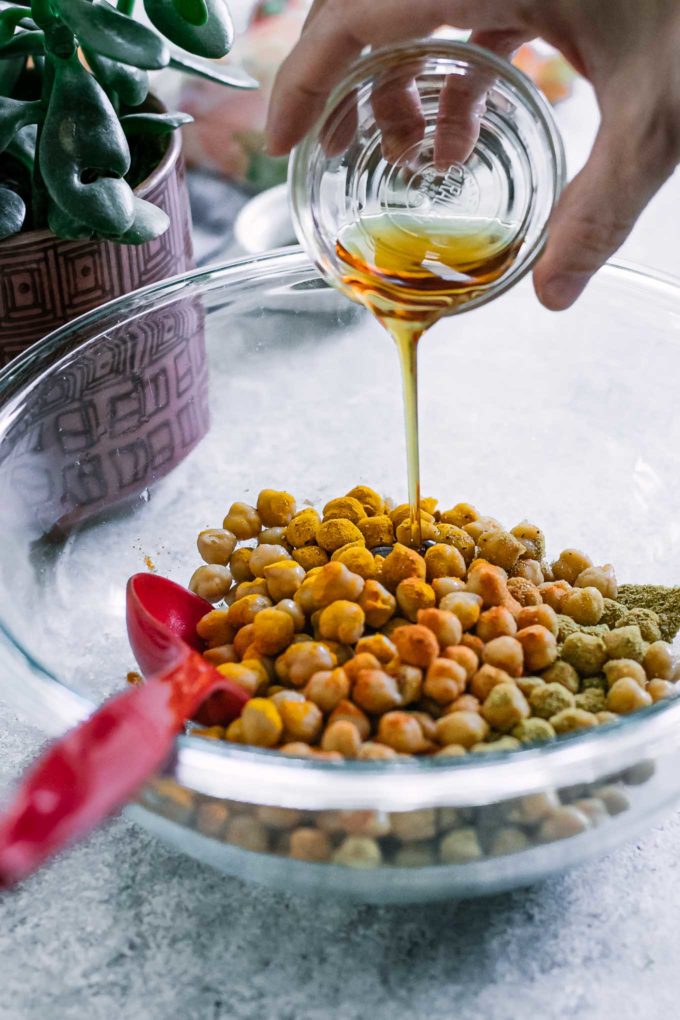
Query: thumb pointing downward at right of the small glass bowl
(597,213)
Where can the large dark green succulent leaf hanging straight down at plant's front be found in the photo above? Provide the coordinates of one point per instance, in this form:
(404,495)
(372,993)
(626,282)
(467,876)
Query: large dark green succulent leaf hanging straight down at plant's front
(84,155)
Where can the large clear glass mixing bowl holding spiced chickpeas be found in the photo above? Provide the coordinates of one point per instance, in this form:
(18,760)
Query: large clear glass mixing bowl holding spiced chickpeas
(128,432)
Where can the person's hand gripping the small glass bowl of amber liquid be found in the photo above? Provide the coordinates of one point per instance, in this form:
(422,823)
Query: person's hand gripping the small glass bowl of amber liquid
(627,50)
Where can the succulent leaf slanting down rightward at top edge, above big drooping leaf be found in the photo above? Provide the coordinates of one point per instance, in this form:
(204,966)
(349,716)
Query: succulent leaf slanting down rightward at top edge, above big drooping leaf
(103,30)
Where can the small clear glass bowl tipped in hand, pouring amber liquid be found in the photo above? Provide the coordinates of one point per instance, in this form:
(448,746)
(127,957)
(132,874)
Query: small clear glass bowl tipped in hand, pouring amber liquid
(434,134)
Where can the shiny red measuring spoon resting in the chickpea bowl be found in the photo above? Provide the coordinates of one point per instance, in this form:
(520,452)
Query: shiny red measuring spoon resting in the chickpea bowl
(96,769)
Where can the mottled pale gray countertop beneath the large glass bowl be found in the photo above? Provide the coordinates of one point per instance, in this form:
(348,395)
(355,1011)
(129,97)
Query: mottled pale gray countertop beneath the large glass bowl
(123,928)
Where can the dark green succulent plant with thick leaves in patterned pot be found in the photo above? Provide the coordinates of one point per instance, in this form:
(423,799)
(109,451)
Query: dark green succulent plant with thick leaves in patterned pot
(73,74)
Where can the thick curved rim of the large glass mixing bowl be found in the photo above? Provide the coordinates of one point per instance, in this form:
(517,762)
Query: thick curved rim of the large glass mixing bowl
(265,777)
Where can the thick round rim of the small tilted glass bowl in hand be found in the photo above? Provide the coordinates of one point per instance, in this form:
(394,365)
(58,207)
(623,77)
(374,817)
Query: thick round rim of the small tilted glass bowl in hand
(434,46)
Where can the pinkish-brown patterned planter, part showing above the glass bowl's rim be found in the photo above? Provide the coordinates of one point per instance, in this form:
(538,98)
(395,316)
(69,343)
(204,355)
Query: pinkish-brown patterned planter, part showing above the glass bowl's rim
(46,282)
